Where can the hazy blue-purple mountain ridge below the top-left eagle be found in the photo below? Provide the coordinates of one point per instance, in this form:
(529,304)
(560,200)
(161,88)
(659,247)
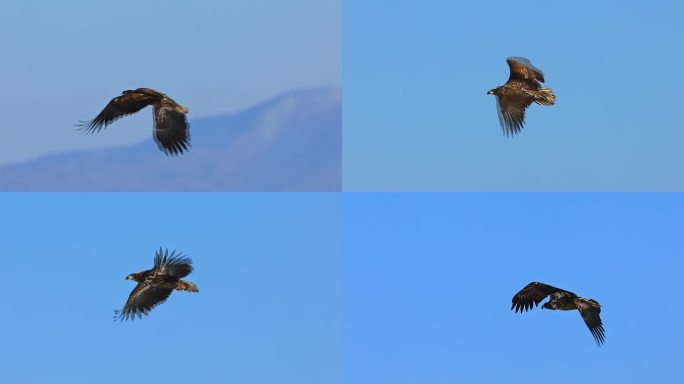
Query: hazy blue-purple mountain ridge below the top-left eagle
(291,142)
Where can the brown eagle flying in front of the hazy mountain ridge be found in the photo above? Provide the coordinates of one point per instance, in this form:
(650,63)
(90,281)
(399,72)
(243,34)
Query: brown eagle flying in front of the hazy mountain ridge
(171,132)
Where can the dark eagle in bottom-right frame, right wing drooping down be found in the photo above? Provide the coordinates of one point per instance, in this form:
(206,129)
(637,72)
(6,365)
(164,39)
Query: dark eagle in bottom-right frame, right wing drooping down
(535,292)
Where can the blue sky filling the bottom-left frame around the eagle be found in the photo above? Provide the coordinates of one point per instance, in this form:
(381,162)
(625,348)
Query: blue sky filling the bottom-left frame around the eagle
(267,268)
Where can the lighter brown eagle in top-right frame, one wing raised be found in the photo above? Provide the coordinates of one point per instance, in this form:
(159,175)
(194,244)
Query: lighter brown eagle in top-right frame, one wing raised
(522,88)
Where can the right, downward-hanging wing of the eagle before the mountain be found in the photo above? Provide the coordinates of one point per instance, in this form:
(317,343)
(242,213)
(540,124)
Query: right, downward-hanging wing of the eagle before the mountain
(171,130)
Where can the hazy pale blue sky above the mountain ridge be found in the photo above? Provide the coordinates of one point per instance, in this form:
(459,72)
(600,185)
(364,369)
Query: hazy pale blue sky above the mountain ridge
(63,61)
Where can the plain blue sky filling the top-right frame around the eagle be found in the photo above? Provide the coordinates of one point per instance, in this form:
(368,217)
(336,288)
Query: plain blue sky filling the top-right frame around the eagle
(417,117)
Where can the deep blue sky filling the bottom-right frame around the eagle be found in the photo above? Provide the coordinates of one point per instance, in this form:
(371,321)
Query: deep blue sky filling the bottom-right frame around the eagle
(429,280)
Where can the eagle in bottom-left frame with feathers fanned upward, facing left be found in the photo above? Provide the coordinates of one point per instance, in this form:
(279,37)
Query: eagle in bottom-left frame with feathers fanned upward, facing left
(155,285)
